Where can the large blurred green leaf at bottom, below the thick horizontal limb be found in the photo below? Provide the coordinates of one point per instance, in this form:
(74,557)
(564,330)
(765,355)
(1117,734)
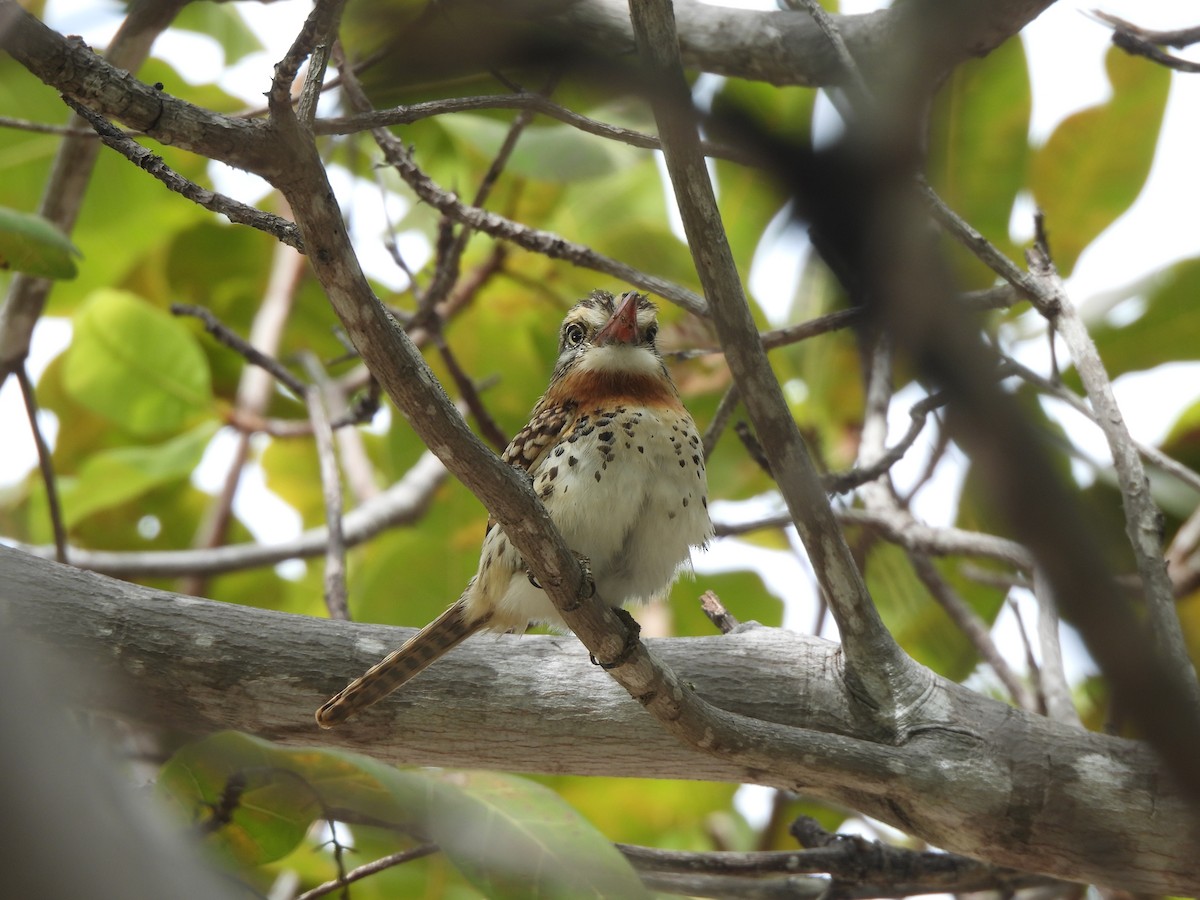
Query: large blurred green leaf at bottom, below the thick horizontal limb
(511,837)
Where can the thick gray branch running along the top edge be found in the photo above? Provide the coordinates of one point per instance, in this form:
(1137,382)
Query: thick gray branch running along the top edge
(781,46)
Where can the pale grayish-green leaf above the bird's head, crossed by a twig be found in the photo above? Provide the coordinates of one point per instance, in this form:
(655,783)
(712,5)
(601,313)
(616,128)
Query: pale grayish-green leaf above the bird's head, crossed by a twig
(551,153)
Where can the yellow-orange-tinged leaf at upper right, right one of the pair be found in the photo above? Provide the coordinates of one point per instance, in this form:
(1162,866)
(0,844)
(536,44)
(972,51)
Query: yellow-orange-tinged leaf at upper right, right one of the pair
(1095,165)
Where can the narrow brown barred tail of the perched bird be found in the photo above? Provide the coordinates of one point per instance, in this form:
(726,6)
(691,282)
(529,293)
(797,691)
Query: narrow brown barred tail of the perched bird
(445,633)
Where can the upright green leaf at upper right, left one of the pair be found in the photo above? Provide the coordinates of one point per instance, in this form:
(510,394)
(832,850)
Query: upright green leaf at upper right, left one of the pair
(980,147)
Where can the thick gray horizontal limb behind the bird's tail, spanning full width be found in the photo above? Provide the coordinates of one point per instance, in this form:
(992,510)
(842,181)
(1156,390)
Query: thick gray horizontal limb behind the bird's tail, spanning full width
(994,783)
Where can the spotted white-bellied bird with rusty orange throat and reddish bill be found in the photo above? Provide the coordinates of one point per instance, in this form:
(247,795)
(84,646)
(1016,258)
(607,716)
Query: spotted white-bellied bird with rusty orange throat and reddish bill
(619,464)
